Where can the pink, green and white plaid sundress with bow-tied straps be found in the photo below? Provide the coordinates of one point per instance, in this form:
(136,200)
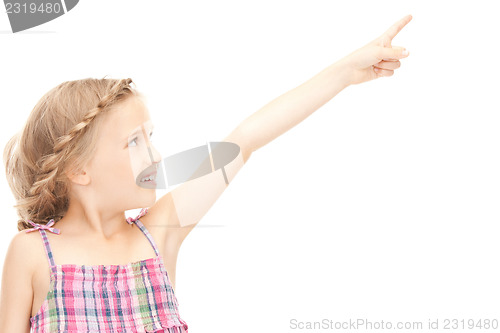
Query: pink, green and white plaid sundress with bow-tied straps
(136,297)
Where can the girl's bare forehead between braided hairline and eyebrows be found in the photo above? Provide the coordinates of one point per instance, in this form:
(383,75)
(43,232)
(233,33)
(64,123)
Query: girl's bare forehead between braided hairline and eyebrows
(126,117)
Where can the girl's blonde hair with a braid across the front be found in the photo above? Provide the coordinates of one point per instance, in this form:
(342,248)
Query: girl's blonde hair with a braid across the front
(60,135)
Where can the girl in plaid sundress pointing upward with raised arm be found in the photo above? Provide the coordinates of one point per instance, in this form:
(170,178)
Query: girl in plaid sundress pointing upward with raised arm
(69,171)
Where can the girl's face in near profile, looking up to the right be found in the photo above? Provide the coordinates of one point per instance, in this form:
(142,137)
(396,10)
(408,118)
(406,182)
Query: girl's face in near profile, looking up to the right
(124,151)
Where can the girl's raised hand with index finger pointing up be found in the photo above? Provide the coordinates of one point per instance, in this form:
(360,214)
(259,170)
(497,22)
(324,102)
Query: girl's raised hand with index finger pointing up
(377,58)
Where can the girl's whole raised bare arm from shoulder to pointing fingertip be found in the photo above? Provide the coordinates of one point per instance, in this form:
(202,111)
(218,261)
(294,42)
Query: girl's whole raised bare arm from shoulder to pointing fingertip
(184,206)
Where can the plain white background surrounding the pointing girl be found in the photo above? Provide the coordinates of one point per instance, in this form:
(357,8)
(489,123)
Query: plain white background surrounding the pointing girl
(382,205)
